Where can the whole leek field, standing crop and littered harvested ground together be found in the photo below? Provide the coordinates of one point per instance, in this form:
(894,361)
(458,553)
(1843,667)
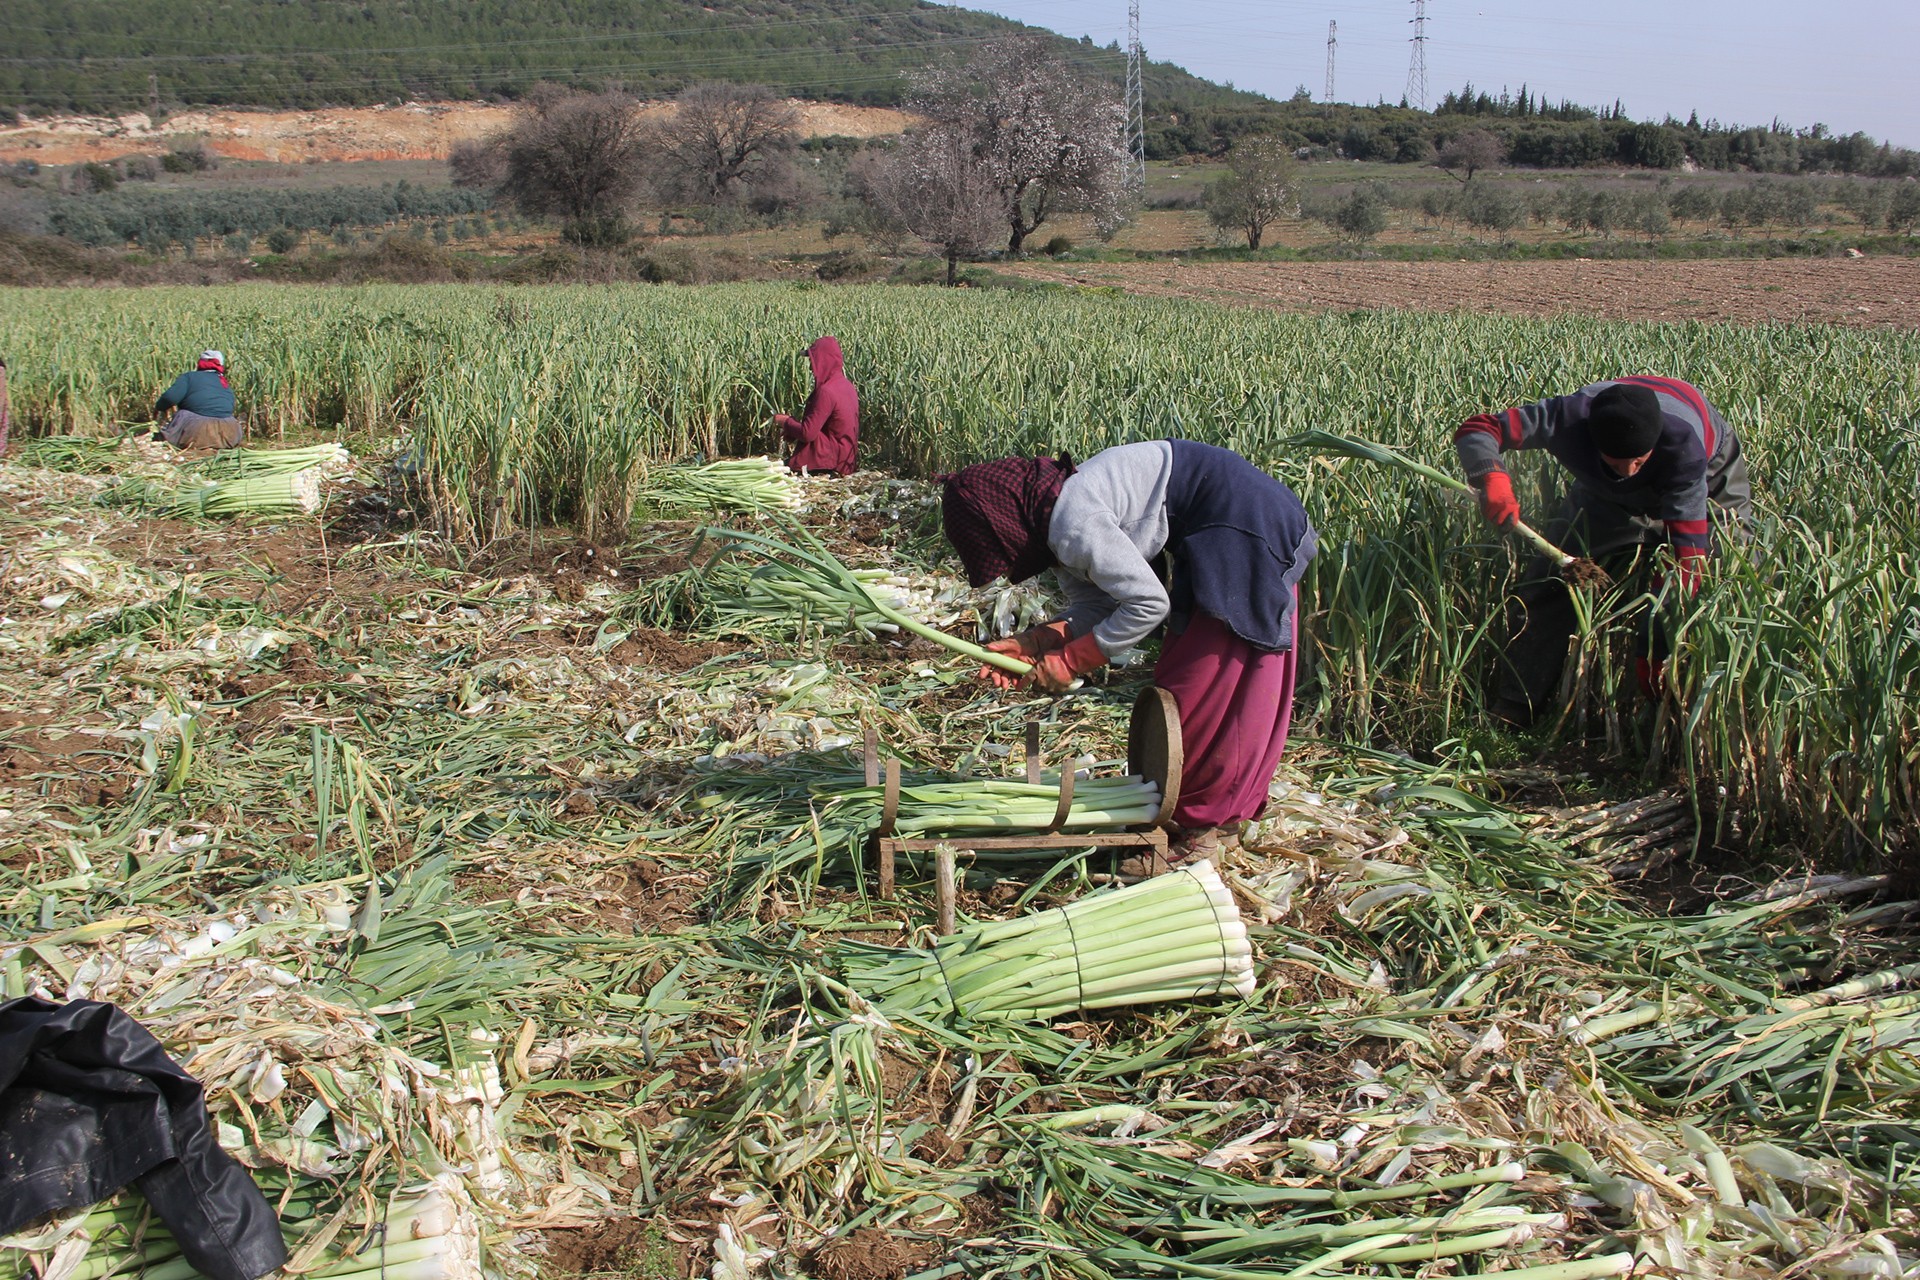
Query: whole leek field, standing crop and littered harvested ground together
(496,859)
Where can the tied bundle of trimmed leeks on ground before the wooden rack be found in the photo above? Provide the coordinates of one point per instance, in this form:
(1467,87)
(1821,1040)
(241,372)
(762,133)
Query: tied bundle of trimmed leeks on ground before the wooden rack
(1174,937)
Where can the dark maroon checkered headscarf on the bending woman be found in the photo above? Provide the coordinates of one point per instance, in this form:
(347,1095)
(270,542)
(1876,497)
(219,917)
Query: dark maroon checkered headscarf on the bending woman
(997,515)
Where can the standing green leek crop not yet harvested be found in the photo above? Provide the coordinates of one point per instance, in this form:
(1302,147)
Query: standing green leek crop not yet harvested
(1798,669)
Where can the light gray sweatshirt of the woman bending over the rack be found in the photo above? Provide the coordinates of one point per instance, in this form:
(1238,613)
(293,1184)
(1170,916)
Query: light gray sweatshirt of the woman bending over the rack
(1109,525)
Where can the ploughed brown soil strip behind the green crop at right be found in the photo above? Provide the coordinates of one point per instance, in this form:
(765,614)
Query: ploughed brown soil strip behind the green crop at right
(1836,291)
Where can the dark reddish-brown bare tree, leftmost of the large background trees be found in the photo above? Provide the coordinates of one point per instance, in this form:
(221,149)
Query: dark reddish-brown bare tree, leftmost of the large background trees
(567,154)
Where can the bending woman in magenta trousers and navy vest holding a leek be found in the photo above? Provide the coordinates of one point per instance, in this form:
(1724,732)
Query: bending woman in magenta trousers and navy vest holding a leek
(1237,544)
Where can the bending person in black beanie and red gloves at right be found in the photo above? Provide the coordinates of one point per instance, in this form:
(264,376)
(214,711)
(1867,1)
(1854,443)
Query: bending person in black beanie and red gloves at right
(1652,463)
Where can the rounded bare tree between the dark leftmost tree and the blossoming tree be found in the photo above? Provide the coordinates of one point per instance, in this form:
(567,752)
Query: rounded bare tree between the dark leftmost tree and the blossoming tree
(725,141)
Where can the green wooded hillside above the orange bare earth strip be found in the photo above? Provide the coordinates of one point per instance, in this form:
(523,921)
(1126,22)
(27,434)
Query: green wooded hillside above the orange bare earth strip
(114,57)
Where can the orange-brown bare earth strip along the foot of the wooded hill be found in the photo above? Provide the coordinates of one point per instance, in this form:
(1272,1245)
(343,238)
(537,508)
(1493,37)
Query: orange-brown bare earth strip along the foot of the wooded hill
(410,131)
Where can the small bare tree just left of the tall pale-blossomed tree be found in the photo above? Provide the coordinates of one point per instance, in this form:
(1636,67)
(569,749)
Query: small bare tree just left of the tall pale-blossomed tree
(942,191)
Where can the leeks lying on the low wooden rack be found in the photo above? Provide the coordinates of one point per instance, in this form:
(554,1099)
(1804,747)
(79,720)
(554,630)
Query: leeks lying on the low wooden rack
(1005,805)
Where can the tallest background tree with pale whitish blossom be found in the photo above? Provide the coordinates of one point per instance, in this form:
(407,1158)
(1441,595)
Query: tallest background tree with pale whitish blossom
(1049,137)
